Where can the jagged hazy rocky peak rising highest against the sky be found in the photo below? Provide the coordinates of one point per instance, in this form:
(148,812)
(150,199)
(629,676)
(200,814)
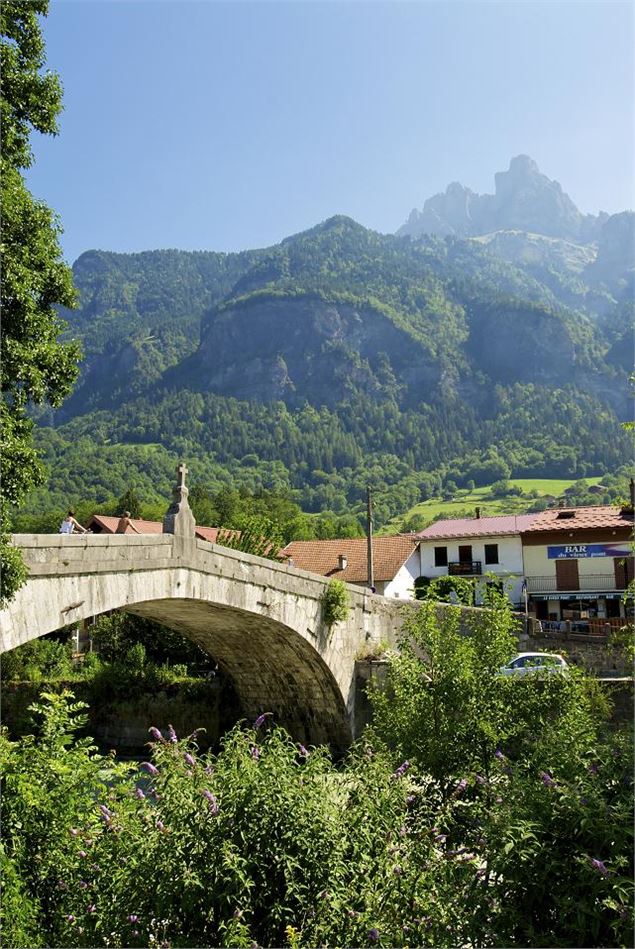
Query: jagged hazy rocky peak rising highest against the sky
(524,200)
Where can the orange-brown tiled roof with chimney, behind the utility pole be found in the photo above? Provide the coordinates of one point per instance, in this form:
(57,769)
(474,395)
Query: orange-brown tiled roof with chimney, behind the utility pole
(321,556)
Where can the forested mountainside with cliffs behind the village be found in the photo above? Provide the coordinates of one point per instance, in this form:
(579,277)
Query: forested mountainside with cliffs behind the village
(337,358)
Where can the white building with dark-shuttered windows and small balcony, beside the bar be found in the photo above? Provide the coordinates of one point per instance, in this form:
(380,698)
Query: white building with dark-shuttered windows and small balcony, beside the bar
(474,547)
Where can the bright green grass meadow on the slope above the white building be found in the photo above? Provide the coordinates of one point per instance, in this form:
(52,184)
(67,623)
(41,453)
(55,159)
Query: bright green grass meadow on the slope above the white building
(465,501)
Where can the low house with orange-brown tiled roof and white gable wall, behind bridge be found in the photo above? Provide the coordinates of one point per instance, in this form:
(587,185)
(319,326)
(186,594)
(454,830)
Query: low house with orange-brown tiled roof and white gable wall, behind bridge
(395,561)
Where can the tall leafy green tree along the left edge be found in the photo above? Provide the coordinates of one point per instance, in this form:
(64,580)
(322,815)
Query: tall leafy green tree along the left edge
(36,368)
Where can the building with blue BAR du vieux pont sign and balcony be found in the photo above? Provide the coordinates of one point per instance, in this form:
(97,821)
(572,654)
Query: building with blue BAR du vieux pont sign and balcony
(578,563)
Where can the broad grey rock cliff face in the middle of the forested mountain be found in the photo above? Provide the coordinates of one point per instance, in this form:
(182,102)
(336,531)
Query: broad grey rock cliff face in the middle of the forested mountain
(304,349)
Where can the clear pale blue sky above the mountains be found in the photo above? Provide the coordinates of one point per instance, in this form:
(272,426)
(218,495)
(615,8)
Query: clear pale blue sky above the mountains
(224,126)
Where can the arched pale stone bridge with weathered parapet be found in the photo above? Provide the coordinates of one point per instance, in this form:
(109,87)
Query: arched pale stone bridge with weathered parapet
(262,621)
